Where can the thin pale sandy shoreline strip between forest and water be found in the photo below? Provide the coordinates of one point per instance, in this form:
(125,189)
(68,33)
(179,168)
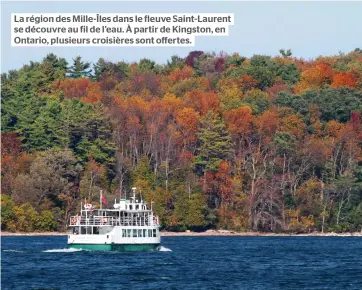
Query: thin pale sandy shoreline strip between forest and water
(209,233)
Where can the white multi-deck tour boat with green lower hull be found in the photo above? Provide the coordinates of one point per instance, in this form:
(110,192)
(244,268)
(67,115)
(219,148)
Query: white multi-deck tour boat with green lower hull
(129,226)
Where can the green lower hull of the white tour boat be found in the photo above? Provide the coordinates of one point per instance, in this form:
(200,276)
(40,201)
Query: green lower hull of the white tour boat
(119,248)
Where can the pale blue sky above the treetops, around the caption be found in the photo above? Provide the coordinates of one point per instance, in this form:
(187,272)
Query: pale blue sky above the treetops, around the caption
(309,29)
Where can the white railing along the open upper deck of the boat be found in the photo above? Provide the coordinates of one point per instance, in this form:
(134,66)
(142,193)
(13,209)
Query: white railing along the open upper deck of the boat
(109,221)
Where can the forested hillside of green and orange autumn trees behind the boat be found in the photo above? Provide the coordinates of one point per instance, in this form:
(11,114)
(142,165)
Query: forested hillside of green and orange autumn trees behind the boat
(215,141)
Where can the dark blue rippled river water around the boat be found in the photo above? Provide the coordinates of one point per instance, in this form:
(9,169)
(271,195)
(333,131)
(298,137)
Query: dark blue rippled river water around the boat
(194,263)
